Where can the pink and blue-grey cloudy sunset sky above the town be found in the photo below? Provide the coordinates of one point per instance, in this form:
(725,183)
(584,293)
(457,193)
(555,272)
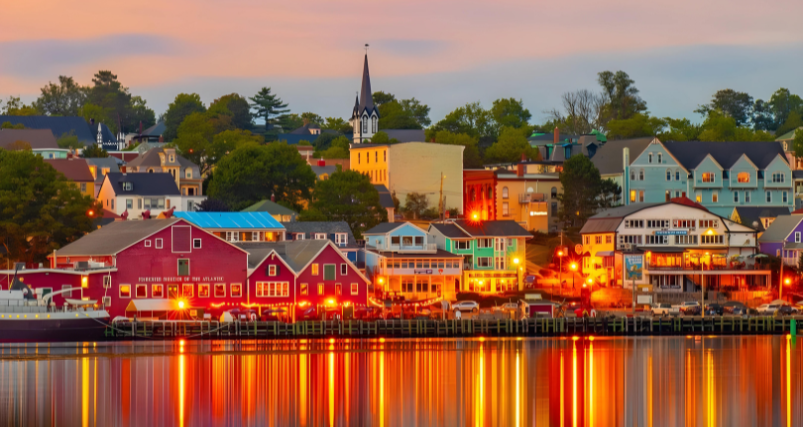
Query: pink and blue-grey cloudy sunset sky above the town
(444,53)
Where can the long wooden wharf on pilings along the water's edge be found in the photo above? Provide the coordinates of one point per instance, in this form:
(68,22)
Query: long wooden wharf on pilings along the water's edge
(533,327)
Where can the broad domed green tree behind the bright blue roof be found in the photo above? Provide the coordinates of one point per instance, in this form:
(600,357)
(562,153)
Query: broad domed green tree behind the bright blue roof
(252,173)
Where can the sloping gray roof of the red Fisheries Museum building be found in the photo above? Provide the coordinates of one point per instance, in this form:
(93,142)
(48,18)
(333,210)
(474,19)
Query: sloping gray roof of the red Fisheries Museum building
(113,238)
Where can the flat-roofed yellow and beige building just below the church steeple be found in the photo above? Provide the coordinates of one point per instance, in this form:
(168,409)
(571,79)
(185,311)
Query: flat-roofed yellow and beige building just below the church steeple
(413,167)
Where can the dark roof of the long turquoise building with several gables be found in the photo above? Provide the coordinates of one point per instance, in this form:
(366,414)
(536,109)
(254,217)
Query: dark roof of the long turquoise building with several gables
(691,153)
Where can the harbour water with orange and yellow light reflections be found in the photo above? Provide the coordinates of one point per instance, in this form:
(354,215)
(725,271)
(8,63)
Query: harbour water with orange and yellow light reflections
(694,381)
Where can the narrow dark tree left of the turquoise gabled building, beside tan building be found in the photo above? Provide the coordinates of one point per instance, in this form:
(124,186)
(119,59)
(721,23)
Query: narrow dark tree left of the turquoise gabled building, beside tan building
(581,190)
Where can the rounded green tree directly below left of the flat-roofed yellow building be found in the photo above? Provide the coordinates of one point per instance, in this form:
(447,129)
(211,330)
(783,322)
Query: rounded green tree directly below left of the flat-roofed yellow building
(348,196)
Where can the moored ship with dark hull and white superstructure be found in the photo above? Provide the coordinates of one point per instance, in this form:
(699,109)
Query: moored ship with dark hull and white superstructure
(26,318)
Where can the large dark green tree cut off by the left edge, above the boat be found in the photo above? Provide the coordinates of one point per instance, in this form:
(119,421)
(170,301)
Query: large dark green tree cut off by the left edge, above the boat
(39,209)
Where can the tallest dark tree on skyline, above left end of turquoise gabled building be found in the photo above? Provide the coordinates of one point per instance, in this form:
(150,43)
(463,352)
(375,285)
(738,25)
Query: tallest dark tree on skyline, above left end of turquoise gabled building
(621,99)
